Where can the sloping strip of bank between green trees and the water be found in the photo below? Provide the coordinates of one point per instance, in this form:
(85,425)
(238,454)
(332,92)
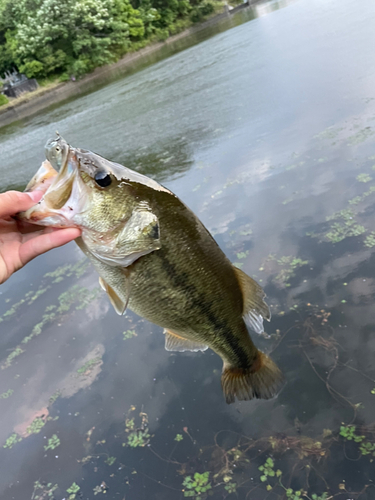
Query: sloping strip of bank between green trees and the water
(44,97)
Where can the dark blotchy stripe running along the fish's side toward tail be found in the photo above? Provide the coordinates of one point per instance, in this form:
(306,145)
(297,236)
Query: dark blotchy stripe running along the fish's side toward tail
(200,302)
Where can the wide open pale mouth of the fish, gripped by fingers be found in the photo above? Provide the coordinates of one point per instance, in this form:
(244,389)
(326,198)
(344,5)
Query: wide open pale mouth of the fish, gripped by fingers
(58,179)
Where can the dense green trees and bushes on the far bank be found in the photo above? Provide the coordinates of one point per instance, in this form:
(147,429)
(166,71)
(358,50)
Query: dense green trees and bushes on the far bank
(48,37)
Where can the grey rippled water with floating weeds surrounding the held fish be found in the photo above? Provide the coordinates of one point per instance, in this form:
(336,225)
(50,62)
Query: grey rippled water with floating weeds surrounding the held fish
(265,131)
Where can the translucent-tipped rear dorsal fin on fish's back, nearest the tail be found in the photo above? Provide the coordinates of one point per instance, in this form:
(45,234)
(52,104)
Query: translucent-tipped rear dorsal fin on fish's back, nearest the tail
(254,307)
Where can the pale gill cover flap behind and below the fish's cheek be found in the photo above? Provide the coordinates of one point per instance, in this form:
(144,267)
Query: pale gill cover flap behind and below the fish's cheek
(139,236)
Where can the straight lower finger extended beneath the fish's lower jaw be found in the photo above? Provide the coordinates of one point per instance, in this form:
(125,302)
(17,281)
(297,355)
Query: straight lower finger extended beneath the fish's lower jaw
(42,243)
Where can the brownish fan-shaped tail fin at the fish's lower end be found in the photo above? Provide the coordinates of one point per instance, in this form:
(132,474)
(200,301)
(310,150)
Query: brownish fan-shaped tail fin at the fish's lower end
(262,380)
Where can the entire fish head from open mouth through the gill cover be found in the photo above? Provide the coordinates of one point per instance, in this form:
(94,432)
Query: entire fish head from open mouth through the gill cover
(107,201)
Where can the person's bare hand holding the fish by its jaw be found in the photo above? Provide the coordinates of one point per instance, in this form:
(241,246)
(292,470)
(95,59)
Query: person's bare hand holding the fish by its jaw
(21,242)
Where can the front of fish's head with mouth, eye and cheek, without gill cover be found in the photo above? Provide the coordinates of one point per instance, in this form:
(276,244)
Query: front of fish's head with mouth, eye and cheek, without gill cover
(81,189)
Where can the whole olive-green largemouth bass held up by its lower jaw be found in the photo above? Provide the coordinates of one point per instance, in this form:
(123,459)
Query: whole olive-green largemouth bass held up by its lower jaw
(156,258)
